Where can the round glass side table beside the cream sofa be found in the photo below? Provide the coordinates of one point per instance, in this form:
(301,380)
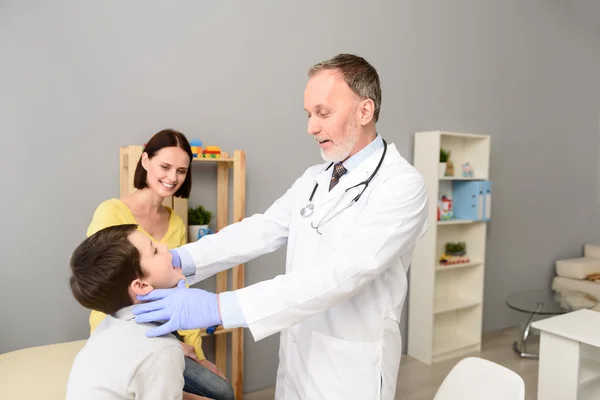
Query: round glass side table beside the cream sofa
(544,302)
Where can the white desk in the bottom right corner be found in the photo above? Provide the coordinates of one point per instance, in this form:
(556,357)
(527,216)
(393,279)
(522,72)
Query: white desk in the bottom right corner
(569,366)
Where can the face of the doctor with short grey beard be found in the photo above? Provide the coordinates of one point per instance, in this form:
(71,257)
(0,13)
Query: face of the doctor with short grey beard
(332,115)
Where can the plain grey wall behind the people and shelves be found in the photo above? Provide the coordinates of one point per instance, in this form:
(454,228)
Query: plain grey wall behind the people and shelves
(80,79)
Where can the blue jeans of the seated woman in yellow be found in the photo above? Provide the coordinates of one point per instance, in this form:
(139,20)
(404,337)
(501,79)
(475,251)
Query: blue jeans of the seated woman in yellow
(202,382)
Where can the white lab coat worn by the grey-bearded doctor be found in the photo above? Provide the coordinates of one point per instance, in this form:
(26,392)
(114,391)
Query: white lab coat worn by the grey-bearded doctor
(339,302)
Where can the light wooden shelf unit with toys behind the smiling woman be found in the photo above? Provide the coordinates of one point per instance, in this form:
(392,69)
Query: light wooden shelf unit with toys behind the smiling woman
(128,159)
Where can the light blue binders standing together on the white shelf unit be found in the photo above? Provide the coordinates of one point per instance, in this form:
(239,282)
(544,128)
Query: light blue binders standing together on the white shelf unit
(472,200)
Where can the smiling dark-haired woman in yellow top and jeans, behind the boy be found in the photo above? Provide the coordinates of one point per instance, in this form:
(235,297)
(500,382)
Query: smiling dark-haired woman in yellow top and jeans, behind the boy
(164,170)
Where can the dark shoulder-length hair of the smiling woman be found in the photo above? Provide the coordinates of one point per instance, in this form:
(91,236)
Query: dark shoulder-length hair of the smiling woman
(160,140)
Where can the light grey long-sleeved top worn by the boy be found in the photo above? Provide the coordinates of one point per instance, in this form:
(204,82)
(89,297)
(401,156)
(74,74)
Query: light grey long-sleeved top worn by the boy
(120,362)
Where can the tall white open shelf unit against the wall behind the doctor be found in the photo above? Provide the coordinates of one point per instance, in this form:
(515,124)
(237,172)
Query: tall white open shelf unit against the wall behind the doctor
(445,301)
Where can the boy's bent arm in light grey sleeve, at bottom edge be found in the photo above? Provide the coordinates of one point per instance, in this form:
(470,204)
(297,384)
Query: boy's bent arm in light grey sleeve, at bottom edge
(160,376)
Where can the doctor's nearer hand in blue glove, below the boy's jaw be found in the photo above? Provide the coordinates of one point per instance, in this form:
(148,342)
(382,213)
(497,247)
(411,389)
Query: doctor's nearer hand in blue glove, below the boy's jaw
(181,308)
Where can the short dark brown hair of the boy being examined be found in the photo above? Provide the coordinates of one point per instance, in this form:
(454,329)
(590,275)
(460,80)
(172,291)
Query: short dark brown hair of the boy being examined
(103,266)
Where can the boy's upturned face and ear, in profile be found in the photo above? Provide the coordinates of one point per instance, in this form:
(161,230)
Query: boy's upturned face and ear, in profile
(157,264)
